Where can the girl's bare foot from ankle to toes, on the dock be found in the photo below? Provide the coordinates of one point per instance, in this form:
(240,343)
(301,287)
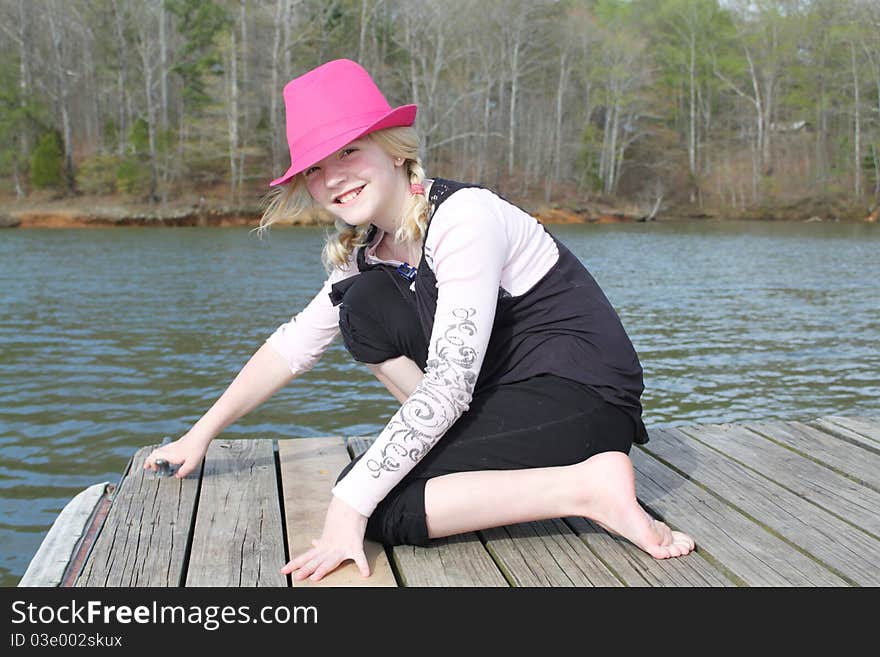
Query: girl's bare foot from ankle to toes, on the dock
(607,495)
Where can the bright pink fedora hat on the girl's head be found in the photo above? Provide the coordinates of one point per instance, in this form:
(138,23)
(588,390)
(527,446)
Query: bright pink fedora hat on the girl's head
(330,106)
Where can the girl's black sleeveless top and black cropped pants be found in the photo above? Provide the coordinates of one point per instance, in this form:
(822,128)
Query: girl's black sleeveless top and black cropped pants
(560,381)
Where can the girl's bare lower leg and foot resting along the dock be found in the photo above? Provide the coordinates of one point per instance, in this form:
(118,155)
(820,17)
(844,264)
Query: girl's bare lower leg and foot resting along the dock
(602,488)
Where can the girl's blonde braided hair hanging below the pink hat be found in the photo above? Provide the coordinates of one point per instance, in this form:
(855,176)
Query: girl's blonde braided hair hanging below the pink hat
(292,198)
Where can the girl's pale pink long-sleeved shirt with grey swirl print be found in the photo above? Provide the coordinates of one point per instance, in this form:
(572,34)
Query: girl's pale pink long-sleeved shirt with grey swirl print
(477,242)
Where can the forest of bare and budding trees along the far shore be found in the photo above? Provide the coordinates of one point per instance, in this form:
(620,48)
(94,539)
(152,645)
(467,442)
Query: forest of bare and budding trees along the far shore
(696,107)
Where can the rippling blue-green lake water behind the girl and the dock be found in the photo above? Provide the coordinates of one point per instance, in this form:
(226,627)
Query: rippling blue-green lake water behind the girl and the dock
(111,339)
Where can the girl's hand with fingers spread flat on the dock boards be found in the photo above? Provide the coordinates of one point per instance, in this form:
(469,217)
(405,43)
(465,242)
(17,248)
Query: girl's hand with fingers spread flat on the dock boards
(342,539)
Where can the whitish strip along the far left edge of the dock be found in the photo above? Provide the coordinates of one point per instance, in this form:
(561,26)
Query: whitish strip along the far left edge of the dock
(51,560)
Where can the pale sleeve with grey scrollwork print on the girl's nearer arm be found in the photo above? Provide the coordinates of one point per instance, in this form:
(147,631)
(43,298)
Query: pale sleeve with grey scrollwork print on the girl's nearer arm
(469,248)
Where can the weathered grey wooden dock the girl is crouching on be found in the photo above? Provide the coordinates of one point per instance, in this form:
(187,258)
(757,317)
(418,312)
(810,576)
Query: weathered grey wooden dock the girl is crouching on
(769,504)
